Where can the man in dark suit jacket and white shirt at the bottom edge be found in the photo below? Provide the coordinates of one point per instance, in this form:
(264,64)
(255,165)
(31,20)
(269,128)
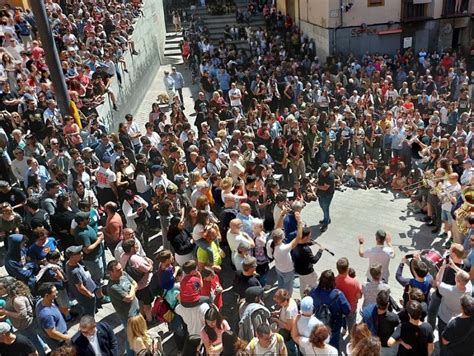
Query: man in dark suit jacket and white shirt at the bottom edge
(95,338)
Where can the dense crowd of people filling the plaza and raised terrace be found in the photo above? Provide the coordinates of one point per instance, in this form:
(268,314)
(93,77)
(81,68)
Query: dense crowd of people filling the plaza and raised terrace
(276,128)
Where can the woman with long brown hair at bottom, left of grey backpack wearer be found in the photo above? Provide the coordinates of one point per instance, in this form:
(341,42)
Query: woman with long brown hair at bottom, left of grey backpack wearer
(211,333)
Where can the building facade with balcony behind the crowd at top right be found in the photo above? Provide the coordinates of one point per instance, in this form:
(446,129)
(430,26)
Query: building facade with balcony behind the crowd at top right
(358,26)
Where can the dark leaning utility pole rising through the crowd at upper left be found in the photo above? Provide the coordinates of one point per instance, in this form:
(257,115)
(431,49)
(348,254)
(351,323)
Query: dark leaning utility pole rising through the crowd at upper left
(52,57)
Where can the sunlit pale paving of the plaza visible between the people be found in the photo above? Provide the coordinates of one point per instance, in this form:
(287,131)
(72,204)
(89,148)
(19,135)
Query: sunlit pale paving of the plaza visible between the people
(353,213)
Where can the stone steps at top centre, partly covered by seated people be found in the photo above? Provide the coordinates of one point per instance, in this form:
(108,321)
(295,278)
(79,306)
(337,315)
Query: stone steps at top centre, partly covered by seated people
(216,25)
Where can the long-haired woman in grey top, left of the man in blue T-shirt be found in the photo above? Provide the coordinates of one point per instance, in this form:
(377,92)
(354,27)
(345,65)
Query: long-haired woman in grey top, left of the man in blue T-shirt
(19,308)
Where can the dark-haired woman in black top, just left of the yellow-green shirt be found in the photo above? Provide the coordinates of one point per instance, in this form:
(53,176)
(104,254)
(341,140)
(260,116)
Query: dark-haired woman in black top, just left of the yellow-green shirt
(181,241)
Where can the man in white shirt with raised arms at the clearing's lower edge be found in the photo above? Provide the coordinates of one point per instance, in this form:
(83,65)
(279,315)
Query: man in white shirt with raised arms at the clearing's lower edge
(379,253)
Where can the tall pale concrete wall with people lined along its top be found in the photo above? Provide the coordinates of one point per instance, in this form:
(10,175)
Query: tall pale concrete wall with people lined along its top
(149,37)
